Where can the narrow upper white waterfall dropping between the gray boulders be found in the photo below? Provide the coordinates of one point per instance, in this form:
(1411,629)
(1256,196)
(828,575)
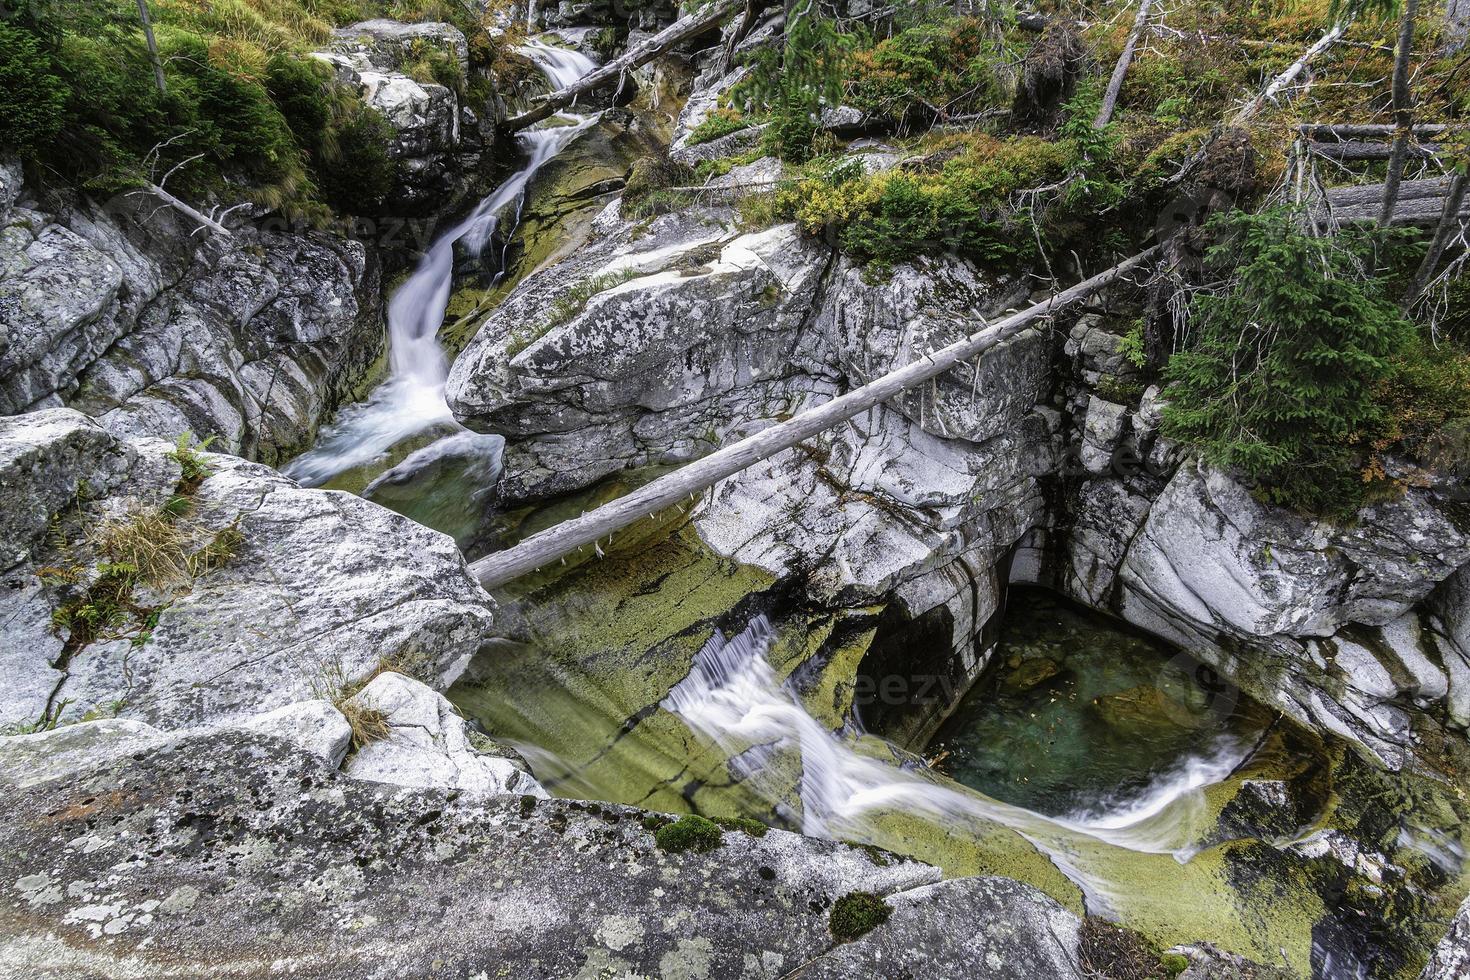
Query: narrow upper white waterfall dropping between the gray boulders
(412,399)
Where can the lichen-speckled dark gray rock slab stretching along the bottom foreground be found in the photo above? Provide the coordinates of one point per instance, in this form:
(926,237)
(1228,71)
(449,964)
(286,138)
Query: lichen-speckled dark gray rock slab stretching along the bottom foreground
(259,854)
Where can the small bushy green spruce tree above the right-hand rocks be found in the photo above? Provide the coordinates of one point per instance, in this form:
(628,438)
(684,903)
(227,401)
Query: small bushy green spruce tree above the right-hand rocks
(1280,381)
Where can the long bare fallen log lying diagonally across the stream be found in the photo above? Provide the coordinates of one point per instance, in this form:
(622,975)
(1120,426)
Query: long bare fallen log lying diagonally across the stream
(546,547)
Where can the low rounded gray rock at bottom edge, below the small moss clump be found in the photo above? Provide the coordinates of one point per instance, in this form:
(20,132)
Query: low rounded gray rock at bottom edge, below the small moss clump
(965,928)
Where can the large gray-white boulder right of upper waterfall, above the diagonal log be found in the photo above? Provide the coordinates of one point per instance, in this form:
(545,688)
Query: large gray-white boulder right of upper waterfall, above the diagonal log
(699,342)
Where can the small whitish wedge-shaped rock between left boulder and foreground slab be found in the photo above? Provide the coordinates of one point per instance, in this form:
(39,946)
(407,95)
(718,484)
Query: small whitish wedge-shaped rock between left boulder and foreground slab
(429,744)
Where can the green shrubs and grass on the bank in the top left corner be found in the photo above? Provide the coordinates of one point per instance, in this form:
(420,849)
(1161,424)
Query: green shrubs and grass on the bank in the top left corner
(245,105)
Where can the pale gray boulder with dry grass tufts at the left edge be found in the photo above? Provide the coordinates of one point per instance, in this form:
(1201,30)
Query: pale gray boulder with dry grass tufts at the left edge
(317,587)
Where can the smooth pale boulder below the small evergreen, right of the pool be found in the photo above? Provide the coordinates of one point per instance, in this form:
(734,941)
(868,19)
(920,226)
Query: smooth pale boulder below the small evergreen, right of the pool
(1305,615)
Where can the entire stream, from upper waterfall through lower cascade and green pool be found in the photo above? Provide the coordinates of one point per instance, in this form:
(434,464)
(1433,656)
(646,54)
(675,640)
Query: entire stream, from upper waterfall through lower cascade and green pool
(1103,766)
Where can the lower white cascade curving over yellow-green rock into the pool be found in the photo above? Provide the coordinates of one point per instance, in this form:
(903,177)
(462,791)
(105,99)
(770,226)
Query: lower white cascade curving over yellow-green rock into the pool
(733,699)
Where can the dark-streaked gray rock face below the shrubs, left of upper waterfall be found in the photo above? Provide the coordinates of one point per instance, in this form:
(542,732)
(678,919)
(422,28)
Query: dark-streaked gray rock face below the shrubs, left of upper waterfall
(126,312)
